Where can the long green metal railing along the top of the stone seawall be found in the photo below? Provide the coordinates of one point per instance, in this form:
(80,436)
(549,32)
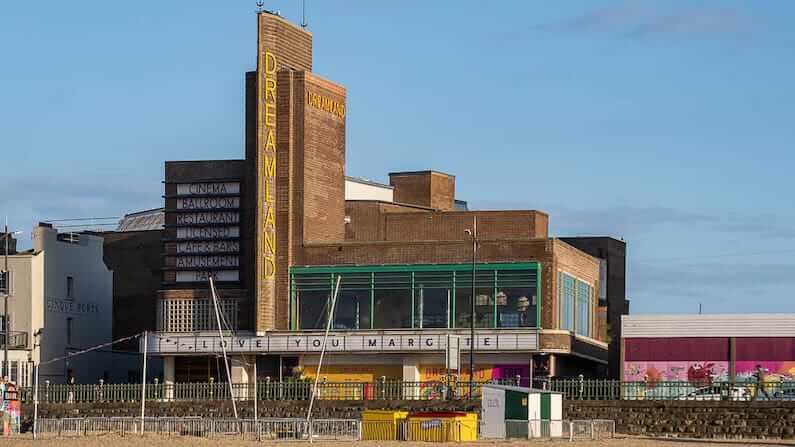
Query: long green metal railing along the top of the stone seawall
(572,389)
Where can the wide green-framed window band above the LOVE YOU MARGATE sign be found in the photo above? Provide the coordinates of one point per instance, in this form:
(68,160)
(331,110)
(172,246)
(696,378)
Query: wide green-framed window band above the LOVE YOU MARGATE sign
(427,296)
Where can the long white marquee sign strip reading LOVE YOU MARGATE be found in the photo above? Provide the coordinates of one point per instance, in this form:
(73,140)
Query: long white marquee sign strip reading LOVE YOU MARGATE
(340,342)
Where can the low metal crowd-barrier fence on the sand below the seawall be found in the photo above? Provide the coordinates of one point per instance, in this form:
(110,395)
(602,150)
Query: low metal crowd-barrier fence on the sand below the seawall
(432,430)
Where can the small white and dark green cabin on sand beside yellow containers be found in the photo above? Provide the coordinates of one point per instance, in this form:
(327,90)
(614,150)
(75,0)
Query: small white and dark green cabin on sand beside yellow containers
(518,412)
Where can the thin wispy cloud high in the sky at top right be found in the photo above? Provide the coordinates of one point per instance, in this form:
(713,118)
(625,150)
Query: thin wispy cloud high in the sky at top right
(655,20)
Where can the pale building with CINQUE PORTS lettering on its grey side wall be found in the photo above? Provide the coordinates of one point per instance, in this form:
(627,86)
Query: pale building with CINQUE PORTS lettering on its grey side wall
(62,287)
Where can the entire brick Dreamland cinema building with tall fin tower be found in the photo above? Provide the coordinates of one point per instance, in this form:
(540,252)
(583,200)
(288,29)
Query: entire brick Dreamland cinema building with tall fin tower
(275,230)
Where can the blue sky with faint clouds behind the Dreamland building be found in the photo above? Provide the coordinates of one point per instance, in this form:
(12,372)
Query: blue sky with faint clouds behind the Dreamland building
(668,124)
